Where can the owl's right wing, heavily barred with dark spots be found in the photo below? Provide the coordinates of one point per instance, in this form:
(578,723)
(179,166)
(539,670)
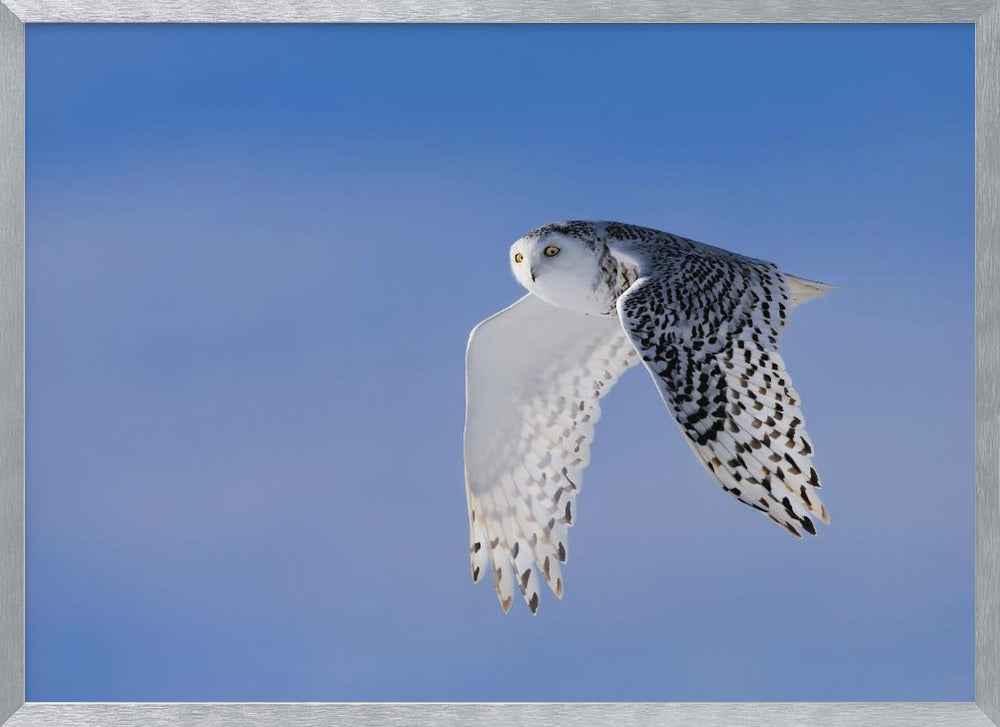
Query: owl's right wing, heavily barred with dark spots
(706,324)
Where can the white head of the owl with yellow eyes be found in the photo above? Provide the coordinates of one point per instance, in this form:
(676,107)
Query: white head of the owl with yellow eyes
(561,264)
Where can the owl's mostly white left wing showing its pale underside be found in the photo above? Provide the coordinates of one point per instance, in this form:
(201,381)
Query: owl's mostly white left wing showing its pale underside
(534,375)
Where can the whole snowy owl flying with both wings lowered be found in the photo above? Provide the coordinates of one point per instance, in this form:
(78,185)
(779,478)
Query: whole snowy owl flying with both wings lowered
(601,297)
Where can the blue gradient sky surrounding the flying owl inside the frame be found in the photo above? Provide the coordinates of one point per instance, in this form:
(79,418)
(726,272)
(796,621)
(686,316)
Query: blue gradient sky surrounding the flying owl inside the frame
(254,257)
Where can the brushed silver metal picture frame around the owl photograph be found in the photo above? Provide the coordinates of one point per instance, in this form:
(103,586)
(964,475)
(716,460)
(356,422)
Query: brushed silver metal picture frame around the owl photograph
(985,14)
